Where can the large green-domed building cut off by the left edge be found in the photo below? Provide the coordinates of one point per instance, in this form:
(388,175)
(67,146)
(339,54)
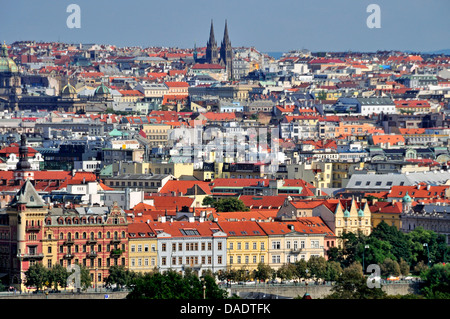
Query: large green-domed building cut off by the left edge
(10,83)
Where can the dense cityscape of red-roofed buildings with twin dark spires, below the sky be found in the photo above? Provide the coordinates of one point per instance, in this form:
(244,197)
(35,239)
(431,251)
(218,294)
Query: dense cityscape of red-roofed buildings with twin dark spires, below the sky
(237,167)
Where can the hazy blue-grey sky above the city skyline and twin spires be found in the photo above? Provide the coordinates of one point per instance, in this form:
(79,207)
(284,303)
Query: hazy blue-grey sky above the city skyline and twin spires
(267,25)
